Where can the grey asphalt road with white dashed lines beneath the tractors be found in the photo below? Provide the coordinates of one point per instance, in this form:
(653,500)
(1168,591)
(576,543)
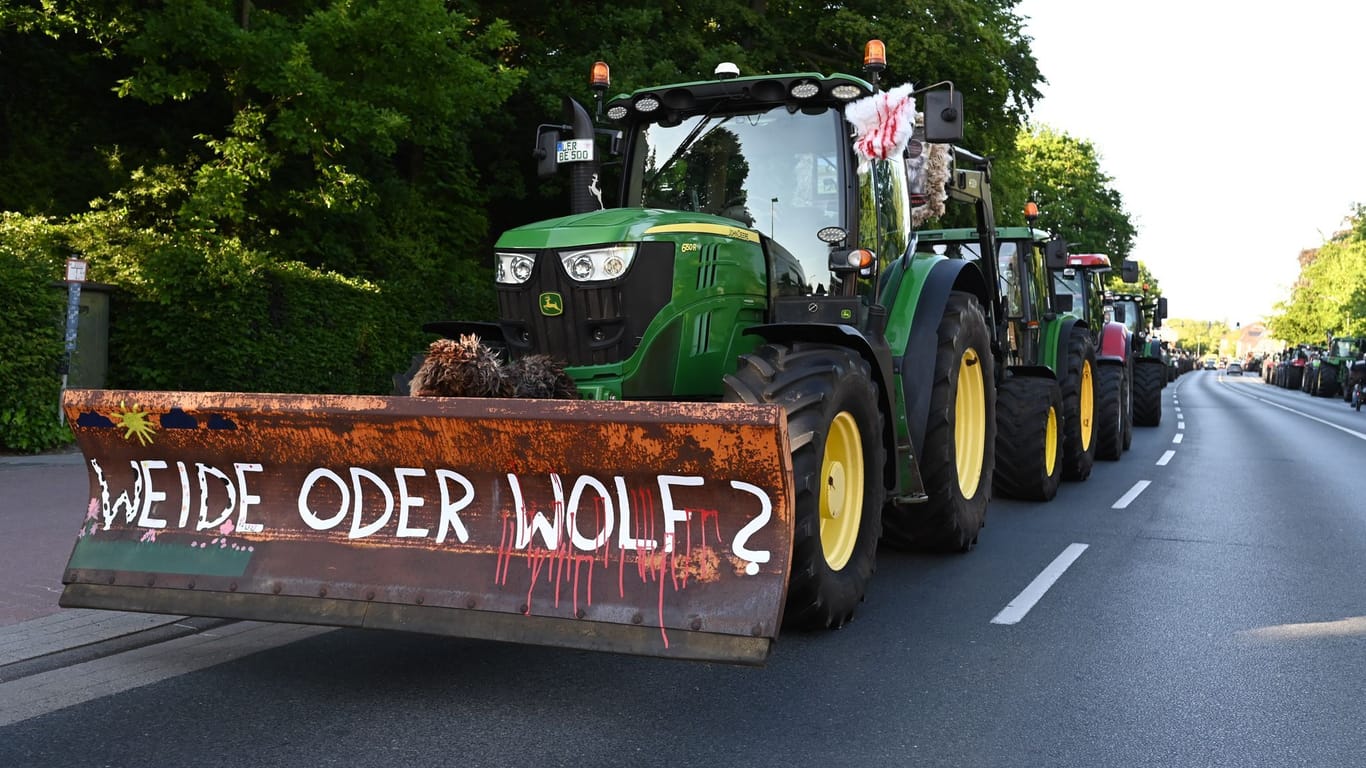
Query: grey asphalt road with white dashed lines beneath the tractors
(1204,606)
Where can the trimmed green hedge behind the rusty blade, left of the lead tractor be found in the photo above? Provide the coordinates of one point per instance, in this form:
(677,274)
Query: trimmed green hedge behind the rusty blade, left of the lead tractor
(204,314)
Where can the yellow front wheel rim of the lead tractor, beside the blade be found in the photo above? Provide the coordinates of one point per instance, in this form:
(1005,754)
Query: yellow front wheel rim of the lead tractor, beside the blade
(842,491)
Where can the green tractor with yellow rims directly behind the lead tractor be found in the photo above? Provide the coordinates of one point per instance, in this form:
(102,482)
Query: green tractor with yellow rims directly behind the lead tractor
(1046,427)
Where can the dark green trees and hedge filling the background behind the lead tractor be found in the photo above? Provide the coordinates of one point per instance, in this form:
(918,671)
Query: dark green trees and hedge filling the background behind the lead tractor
(285,192)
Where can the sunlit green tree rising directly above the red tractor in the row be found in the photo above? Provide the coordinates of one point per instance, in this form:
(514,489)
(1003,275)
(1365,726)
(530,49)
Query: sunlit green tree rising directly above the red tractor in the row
(1074,196)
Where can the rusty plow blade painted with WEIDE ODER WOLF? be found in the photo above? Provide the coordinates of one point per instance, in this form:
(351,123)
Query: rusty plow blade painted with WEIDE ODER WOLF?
(660,530)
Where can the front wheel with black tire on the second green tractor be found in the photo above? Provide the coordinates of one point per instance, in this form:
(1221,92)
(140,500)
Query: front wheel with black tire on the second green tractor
(1029,446)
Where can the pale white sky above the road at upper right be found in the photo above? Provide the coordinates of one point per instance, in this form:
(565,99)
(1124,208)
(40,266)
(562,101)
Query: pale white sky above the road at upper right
(1234,132)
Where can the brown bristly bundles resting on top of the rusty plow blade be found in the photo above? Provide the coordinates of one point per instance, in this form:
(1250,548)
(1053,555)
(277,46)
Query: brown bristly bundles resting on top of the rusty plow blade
(465,368)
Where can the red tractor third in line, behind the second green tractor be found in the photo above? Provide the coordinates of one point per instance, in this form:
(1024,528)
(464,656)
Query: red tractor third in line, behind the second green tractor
(1078,284)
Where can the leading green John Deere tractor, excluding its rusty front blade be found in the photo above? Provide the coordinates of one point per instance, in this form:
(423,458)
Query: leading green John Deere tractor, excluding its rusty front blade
(759,255)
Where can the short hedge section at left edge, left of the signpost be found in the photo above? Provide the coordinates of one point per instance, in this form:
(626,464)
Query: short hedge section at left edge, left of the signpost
(31,338)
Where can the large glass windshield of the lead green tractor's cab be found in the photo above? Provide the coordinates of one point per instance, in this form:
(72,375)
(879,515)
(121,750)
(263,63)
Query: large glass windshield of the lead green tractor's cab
(775,172)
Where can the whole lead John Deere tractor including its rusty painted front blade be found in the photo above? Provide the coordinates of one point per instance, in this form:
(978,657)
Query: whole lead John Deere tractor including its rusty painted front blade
(757,378)
